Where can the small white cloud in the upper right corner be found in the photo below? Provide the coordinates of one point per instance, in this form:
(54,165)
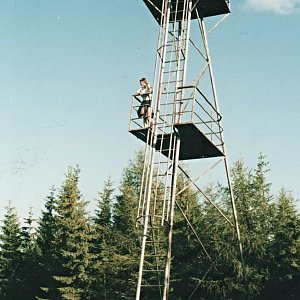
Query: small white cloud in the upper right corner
(283,7)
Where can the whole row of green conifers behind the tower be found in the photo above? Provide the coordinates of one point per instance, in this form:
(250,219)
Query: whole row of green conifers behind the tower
(72,253)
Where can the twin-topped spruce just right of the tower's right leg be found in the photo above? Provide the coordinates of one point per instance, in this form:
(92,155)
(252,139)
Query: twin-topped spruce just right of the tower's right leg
(256,217)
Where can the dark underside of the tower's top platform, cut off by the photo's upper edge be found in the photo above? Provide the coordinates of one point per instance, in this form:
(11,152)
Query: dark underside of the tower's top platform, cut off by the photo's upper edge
(206,8)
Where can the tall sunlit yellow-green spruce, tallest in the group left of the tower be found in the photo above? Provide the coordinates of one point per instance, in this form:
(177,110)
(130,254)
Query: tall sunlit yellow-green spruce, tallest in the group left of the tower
(72,239)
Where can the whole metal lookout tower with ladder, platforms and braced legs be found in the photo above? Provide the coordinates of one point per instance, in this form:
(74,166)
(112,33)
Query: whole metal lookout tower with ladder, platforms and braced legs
(186,126)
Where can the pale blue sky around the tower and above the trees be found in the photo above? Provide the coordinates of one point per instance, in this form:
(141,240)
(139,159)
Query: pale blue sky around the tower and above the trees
(68,69)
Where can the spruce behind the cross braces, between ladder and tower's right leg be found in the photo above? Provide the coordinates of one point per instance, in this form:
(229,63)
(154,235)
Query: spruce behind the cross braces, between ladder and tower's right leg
(218,274)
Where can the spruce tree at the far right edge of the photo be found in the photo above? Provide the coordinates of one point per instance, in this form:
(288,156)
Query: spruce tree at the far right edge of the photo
(285,251)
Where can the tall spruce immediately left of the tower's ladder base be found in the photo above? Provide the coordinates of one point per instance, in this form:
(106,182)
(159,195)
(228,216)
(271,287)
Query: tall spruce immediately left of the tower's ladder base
(126,238)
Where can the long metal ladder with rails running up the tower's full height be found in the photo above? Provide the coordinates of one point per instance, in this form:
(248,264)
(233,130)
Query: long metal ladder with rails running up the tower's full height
(157,197)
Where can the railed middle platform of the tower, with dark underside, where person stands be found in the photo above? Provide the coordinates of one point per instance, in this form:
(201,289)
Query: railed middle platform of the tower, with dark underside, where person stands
(198,128)
